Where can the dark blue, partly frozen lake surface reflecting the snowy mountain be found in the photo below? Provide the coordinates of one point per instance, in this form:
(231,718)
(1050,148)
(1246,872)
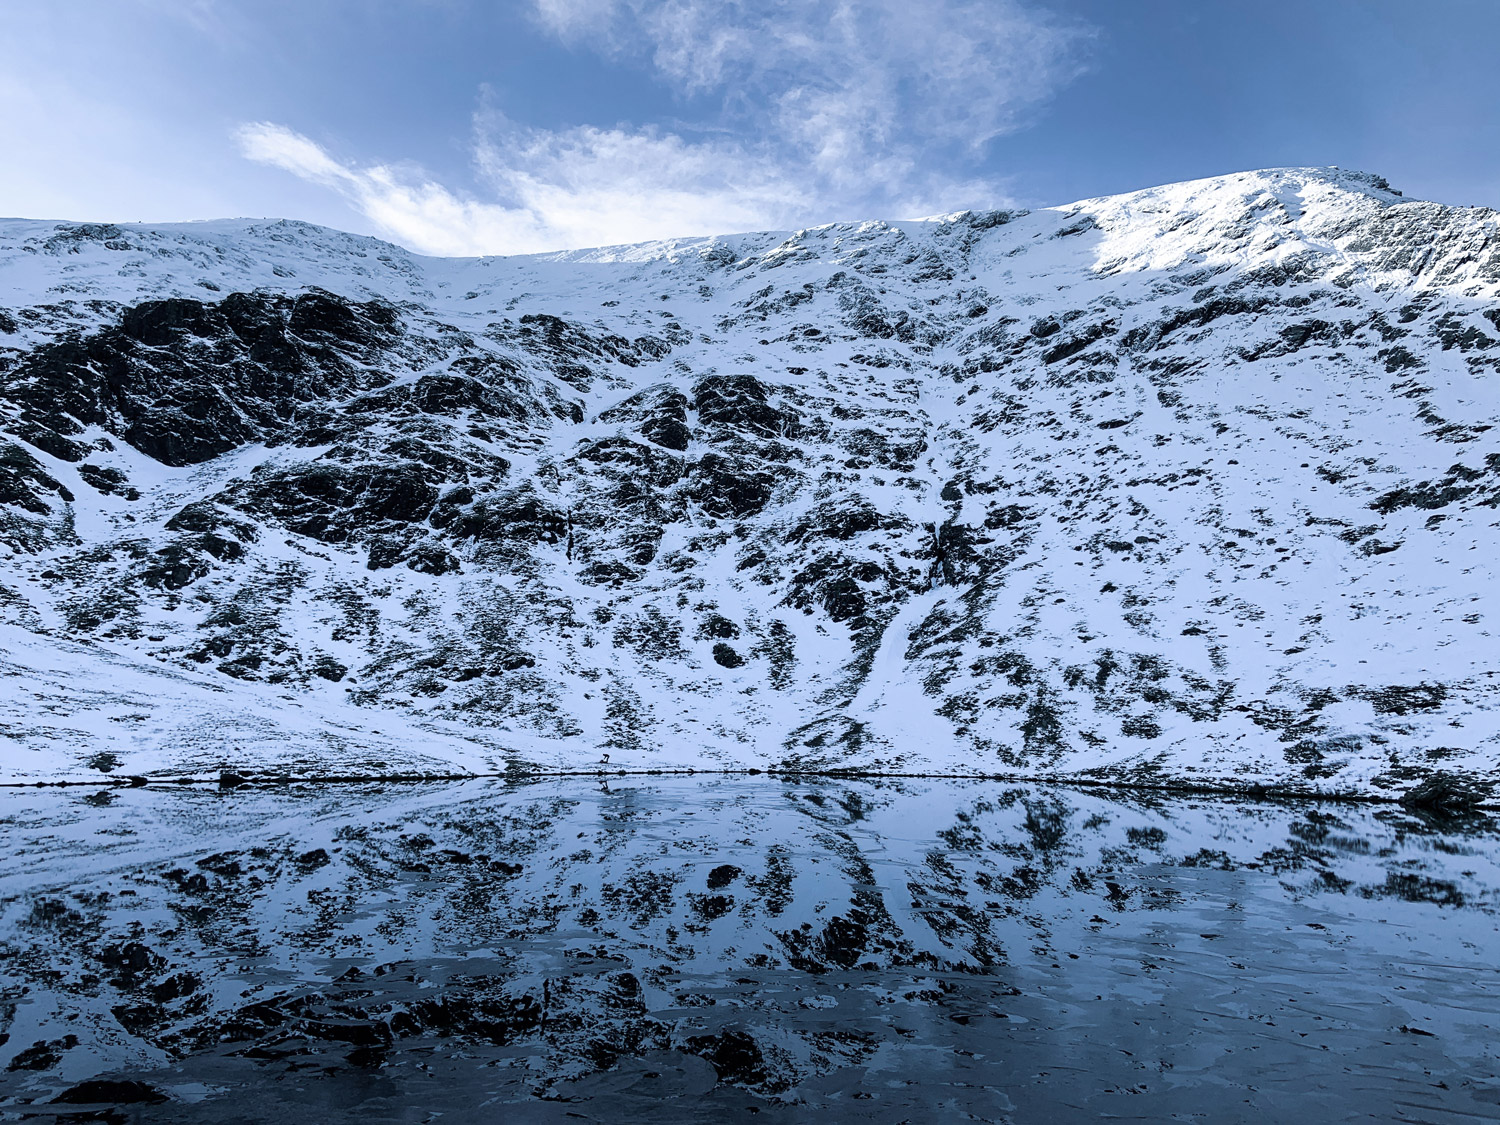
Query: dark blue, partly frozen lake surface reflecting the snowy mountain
(689,949)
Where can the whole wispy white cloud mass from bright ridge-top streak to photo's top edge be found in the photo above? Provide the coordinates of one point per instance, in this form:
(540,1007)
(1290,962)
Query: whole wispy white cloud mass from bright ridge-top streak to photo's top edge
(824,110)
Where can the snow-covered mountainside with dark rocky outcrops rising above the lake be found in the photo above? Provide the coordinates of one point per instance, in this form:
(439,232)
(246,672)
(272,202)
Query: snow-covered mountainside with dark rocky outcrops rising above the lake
(1192,485)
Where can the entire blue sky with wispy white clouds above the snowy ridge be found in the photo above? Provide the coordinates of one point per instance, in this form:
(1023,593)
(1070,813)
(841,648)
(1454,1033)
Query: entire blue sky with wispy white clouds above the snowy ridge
(472,127)
